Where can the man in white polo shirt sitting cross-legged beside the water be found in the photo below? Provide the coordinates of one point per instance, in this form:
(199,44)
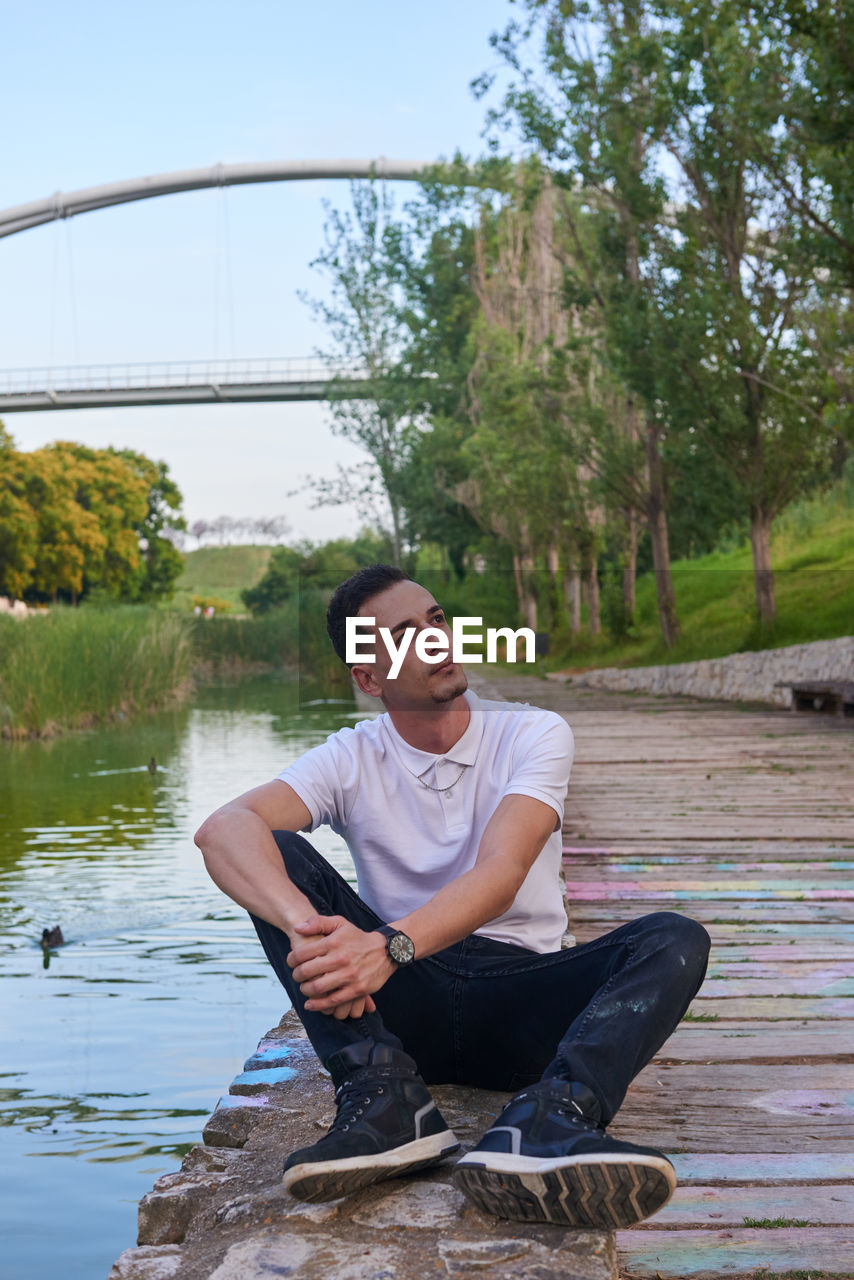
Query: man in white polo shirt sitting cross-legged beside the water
(447,966)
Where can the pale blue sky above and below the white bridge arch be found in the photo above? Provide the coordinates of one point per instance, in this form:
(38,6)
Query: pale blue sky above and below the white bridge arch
(97,92)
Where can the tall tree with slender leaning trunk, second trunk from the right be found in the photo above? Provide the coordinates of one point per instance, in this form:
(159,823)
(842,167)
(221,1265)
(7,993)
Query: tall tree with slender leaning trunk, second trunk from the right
(591,108)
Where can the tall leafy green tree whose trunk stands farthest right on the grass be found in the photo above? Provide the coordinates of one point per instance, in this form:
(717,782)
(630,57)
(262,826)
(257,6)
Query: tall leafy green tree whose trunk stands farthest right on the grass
(729,294)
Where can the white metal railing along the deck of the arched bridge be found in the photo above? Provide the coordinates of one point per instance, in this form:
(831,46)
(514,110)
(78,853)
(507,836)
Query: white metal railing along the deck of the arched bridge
(144,376)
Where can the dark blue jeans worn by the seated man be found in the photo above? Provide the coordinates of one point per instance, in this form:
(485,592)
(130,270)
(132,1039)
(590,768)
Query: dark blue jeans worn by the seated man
(499,1017)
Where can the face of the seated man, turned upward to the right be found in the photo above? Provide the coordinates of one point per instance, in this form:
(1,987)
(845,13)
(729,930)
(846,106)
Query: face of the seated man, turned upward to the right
(418,684)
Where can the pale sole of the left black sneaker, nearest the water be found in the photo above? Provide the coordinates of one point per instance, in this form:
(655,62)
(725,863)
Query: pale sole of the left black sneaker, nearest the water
(330,1180)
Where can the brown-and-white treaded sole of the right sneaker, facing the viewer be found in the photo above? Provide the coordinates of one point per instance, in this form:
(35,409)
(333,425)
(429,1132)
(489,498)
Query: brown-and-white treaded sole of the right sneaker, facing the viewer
(605,1192)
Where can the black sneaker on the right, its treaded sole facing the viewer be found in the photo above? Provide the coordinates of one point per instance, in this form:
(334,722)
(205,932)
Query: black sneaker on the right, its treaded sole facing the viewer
(549,1159)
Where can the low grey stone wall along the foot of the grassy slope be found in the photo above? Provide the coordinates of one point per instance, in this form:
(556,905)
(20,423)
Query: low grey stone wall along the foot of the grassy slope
(741,678)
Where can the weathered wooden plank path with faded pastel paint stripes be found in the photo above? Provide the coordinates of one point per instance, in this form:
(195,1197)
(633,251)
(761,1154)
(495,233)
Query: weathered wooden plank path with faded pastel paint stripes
(742,820)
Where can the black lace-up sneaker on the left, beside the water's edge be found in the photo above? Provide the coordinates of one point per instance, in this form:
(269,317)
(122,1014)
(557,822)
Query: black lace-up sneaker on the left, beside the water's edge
(387,1126)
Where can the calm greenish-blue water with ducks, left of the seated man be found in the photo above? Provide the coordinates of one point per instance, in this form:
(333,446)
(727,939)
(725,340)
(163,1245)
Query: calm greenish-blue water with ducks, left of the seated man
(113,1057)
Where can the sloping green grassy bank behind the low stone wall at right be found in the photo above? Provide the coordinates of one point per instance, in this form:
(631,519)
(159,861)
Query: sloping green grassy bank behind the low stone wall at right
(814,561)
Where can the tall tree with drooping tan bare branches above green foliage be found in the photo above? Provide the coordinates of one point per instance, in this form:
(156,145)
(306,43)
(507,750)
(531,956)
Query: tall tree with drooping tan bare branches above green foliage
(524,473)
